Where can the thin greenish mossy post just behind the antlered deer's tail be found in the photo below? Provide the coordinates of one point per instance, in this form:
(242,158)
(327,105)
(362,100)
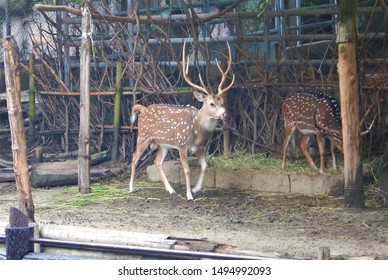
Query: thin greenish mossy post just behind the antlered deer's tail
(117,108)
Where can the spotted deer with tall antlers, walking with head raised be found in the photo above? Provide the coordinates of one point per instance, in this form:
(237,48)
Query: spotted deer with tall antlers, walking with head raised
(184,128)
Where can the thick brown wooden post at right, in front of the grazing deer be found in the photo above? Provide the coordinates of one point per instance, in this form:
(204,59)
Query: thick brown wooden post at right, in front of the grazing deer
(347,68)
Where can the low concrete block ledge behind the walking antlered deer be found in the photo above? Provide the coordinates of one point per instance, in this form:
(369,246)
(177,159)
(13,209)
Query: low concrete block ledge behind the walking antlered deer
(262,181)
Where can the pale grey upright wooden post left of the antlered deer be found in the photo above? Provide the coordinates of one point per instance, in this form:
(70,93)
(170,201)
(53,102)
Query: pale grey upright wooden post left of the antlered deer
(84,129)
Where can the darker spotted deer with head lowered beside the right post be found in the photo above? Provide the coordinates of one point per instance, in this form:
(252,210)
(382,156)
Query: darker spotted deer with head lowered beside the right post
(312,113)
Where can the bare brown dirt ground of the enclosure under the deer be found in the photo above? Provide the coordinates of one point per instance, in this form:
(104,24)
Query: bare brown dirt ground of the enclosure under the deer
(274,224)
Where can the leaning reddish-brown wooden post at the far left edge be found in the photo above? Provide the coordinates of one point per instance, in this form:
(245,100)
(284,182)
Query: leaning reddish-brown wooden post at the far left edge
(18,134)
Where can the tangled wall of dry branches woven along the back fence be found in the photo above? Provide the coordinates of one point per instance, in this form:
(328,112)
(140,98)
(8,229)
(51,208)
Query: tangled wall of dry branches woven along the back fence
(261,82)
